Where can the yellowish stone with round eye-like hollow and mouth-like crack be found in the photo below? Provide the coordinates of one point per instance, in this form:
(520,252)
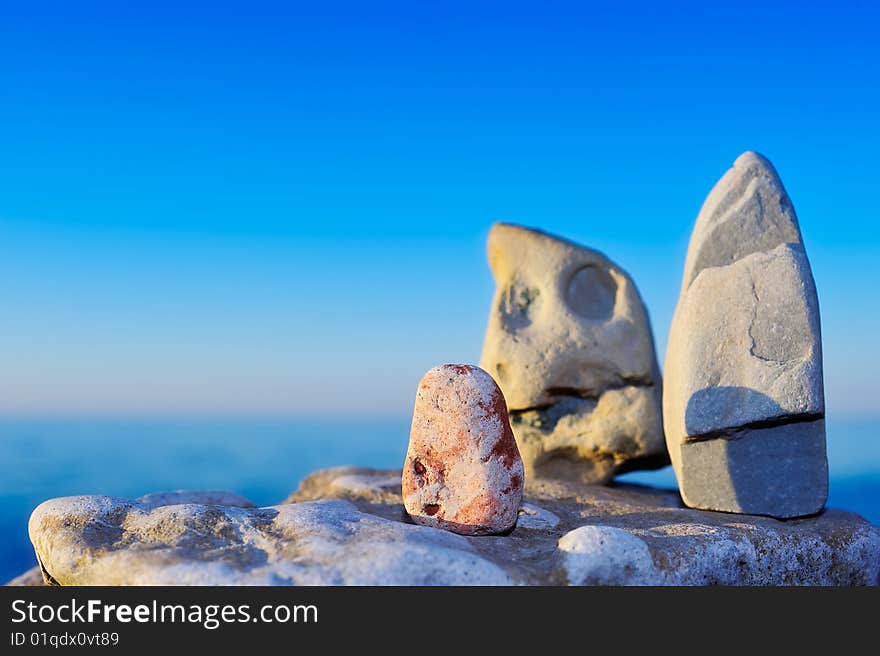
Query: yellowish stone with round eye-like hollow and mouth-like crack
(570,344)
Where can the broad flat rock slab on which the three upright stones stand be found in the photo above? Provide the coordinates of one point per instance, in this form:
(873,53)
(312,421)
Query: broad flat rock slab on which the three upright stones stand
(347,526)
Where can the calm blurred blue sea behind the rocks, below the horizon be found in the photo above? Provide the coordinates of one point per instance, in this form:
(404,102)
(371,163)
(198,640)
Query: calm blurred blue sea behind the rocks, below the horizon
(264,461)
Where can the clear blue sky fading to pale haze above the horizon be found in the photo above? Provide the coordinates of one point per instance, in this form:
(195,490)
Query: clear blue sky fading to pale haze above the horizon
(271,209)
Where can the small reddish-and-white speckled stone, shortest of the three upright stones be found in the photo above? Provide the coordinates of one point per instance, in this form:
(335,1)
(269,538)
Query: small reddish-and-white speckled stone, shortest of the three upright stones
(463,472)
